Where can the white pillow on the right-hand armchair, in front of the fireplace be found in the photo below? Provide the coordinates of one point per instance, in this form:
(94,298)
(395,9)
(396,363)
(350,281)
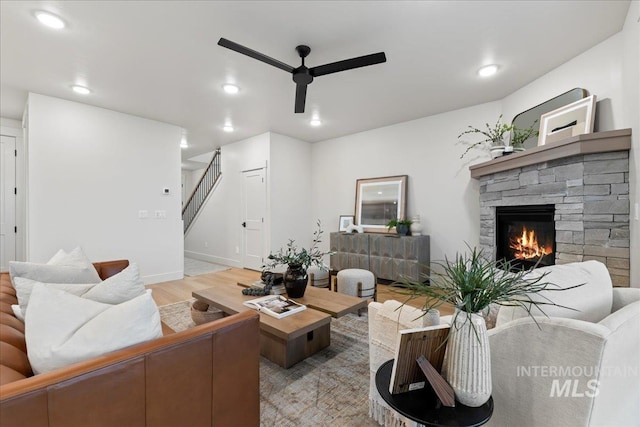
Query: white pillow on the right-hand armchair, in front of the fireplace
(591,302)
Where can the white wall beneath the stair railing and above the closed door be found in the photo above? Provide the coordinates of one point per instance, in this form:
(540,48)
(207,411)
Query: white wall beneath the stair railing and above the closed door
(217,232)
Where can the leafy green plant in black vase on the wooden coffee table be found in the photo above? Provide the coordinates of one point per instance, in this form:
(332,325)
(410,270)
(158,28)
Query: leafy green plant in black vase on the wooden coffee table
(297,262)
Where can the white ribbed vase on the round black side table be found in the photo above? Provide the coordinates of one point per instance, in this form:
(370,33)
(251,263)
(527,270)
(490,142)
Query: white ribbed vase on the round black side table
(468,360)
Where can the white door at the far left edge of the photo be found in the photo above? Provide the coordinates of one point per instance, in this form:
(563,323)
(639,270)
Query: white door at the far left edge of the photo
(7,201)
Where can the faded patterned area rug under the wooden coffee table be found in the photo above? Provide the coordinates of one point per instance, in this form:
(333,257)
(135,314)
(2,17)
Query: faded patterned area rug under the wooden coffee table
(330,388)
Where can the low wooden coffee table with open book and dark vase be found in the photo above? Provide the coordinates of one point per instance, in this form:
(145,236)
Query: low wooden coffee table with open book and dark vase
(289,340)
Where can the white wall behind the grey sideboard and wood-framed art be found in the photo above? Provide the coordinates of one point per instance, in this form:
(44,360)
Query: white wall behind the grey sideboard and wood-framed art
(440,188)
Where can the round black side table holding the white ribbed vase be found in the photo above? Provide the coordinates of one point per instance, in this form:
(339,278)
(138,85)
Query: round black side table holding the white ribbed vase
(423,406)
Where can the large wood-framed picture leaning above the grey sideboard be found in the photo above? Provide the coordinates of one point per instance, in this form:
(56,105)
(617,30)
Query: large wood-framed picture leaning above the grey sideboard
(379,200)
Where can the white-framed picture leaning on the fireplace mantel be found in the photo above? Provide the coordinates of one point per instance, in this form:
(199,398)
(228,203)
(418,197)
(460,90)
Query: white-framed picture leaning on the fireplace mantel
(573,119)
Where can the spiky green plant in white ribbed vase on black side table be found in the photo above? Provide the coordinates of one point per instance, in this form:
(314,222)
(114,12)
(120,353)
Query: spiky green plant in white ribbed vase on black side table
(472,284)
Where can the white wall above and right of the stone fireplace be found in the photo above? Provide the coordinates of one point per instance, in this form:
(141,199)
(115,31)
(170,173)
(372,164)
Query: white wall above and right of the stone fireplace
(611,71)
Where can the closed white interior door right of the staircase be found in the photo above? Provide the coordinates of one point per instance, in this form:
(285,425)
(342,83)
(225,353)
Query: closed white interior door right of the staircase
(254,210)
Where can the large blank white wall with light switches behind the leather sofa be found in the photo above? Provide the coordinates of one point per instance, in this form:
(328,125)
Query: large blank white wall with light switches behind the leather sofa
(90,170)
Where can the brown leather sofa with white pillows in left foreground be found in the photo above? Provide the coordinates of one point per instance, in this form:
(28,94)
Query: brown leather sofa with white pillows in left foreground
(204,376)
